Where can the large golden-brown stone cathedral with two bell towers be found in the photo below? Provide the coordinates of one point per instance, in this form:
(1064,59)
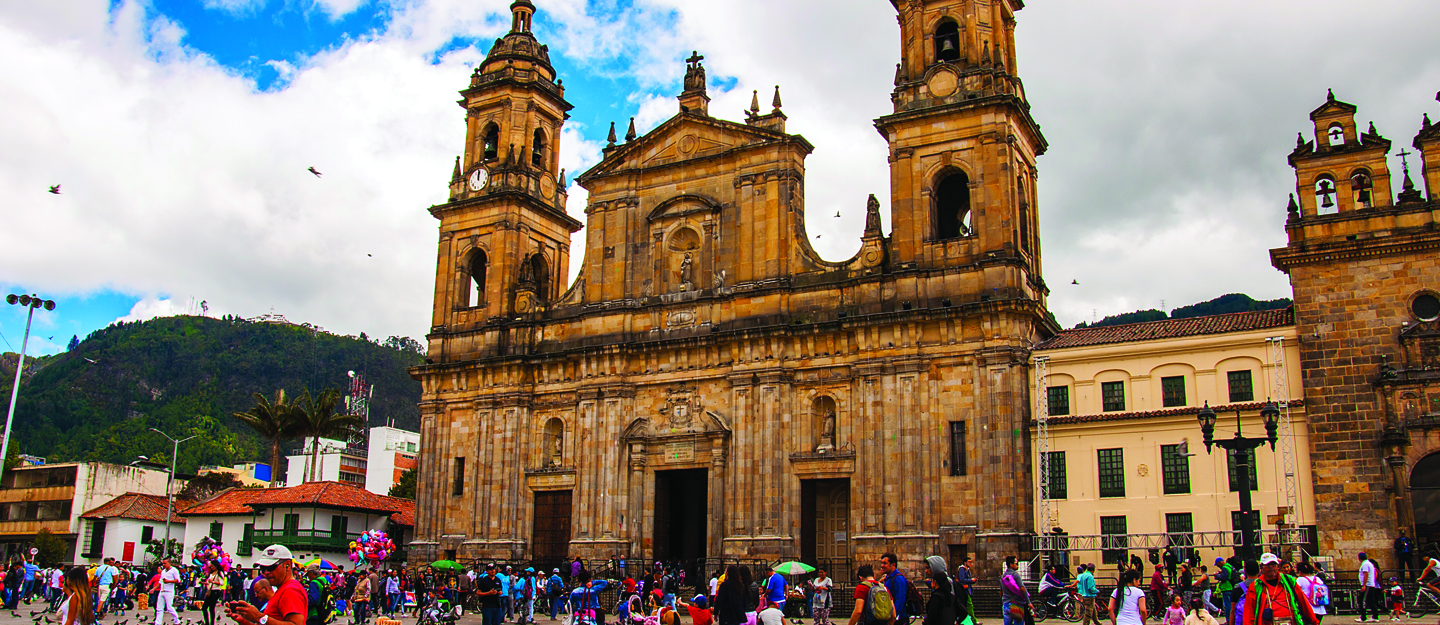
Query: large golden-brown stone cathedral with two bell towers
(709,387)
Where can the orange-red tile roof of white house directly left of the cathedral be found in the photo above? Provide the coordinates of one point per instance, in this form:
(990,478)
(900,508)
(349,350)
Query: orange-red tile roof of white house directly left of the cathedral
(322,495)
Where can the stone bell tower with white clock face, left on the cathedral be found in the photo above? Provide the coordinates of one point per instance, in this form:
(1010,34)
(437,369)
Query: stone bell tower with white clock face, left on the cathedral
(505,248)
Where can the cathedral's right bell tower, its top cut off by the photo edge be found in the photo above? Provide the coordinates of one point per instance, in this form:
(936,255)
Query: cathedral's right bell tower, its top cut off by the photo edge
(963,143)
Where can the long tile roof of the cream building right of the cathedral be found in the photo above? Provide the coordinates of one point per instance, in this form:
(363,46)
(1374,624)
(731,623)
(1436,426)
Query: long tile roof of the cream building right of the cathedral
(1171,329)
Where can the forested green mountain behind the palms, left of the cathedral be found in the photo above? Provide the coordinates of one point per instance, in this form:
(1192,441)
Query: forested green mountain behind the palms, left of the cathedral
(186,377)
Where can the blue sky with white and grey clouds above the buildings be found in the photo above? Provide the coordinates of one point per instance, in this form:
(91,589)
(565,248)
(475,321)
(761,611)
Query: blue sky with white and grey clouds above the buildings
(181,132)
